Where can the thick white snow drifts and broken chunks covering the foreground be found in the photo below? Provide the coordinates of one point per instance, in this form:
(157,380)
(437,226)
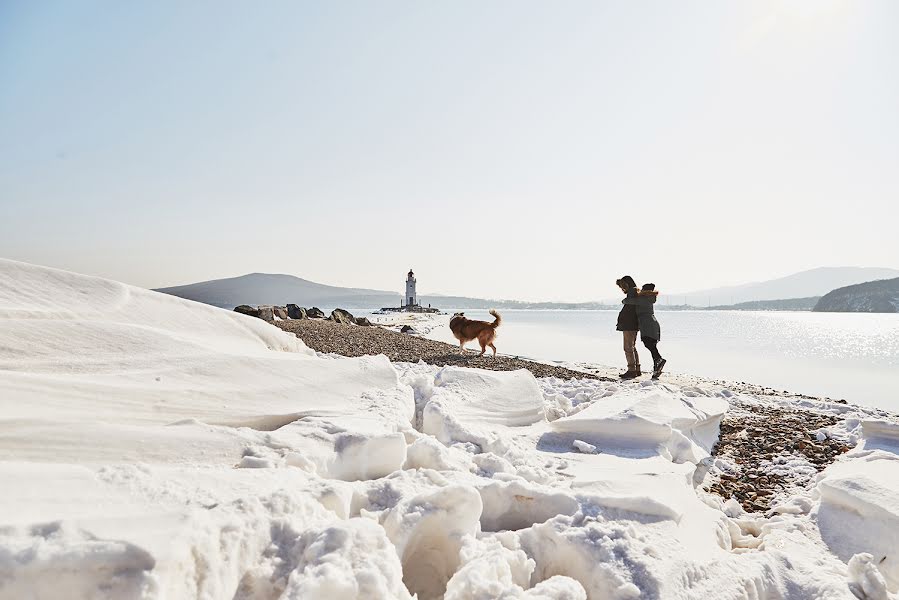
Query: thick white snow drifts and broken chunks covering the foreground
(157,448)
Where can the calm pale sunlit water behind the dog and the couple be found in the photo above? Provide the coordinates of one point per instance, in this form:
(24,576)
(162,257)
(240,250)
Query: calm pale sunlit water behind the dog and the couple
(850,356)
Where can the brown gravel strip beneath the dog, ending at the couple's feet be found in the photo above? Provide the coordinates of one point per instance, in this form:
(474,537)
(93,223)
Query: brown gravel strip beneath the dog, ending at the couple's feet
(353,340)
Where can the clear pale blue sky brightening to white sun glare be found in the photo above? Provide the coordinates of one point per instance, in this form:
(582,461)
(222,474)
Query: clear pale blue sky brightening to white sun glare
(503,149)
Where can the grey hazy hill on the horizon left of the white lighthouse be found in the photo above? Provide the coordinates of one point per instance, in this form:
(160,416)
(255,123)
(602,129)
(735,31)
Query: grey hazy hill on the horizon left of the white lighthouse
(265,288)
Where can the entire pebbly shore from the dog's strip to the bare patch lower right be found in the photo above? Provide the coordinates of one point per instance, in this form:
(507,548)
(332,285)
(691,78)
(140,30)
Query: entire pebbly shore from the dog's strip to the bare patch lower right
(763,430)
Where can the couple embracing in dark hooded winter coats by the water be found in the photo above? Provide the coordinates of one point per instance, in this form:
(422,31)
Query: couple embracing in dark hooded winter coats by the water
(637,315)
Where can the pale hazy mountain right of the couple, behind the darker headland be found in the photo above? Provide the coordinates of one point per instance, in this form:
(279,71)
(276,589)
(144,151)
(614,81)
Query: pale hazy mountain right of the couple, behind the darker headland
(816,282)
